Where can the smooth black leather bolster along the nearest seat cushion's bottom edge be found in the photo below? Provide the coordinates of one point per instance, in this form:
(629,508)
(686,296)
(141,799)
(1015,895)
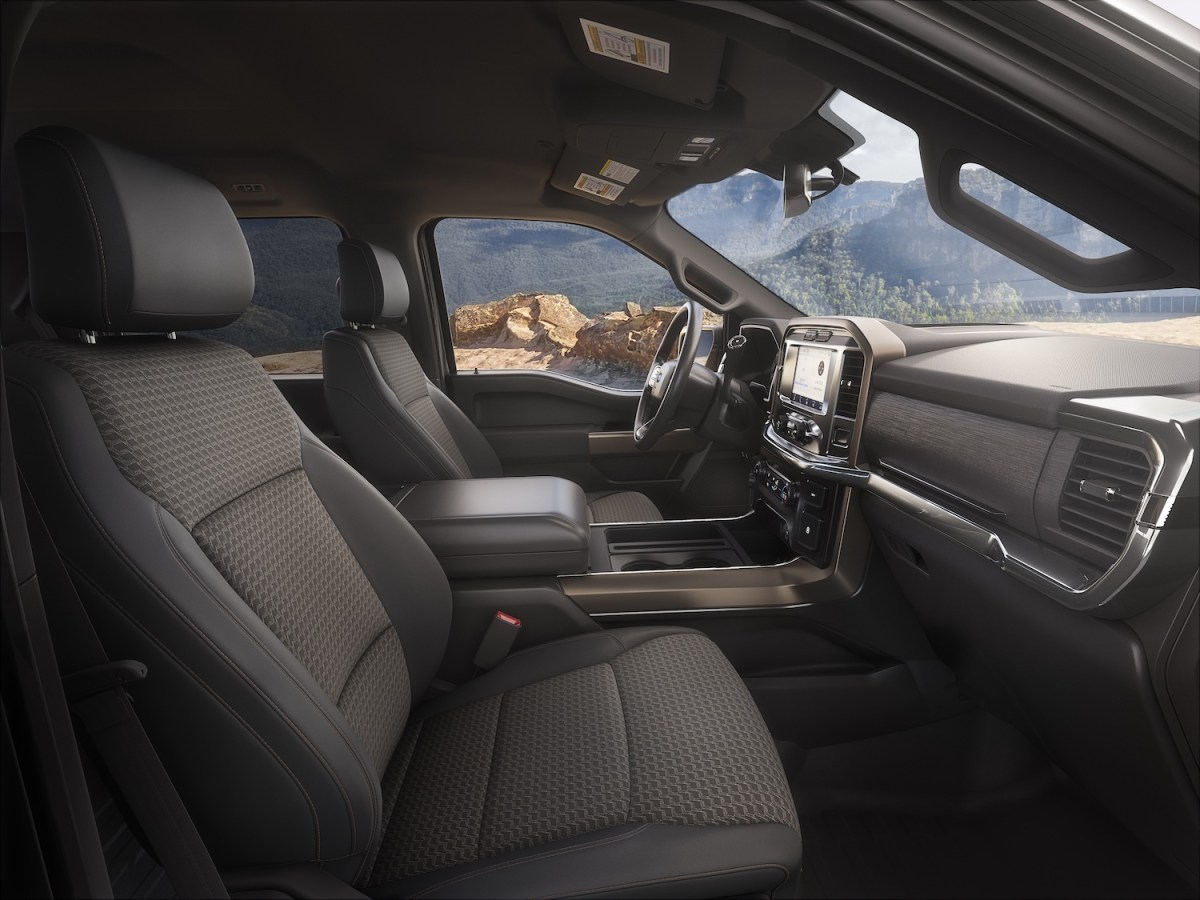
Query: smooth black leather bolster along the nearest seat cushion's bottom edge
(637,861)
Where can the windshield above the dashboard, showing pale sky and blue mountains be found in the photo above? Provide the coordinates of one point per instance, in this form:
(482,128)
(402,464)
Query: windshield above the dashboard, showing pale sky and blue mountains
(878,249)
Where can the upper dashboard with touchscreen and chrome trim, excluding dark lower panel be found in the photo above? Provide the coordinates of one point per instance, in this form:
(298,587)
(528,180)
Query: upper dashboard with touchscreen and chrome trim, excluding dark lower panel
(1059,459)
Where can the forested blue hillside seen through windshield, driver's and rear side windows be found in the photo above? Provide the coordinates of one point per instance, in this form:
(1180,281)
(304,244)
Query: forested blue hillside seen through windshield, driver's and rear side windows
(871,249)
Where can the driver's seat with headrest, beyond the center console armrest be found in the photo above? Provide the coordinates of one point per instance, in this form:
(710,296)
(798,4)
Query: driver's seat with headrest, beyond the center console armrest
(399,428)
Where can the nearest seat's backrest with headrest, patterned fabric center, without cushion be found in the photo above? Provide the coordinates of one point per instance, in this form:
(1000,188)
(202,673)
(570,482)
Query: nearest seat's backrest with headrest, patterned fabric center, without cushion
(287,614)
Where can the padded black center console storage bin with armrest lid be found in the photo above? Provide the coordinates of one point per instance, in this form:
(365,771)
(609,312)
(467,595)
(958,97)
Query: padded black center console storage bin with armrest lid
(501,527)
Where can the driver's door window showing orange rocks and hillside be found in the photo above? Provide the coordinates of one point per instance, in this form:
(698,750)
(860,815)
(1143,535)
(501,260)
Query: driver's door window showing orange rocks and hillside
(553,297)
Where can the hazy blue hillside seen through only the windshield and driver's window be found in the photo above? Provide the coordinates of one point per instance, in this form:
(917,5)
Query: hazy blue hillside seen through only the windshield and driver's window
(872,249)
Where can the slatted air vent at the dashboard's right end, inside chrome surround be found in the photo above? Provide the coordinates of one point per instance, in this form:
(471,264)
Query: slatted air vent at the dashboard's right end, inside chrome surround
(1103,493)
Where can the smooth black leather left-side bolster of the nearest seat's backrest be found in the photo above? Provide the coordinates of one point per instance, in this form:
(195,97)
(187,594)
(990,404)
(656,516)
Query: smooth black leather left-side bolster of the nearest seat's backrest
(296,783)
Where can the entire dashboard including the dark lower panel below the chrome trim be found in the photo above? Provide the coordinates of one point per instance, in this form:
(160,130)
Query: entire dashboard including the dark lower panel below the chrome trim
(1036,500)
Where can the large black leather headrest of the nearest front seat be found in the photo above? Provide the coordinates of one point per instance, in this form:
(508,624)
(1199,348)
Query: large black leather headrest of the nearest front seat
(123,243)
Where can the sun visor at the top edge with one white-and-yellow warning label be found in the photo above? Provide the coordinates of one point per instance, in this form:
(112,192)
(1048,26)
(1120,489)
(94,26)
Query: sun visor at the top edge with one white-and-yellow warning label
(650,51)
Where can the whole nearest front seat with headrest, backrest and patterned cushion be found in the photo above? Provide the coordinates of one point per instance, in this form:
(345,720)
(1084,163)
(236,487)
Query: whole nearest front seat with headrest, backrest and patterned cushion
(293,622)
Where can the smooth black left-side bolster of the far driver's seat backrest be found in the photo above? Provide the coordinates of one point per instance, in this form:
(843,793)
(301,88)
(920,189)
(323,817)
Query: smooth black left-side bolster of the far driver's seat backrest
(393,448)
